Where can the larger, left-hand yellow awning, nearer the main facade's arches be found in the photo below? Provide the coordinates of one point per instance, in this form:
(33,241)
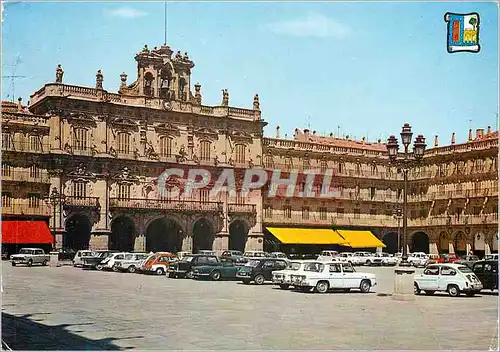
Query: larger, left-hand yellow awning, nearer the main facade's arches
(306,236)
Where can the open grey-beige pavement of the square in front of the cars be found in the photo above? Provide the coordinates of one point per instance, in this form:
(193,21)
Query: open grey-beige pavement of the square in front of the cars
(69,308)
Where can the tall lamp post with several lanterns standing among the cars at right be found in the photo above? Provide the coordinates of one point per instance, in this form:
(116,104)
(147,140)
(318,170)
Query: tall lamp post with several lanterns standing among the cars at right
(404,161)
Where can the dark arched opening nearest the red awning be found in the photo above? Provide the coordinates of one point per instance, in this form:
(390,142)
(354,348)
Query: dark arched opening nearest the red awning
(77,232)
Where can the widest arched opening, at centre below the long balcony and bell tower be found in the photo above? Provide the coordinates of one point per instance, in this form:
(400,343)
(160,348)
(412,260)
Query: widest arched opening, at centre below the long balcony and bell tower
(164,235)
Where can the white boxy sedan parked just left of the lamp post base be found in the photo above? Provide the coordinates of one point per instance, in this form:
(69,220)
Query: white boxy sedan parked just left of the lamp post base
(323,276)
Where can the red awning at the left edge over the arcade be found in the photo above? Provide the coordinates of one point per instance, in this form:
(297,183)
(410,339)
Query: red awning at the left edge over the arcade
(17,232)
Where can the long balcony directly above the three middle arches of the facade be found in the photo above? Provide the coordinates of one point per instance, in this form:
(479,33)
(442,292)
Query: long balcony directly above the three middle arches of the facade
(167,204)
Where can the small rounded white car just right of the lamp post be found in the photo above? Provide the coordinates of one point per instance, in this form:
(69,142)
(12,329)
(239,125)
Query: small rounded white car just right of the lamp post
(452,278)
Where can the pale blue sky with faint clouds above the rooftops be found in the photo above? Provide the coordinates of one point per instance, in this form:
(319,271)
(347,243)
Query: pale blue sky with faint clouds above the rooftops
(366,67)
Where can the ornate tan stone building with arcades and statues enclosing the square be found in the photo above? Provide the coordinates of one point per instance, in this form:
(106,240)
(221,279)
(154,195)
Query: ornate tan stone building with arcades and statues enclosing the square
(105,151)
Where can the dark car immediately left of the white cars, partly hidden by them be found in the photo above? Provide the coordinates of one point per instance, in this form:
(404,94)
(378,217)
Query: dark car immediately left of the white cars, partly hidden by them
(260,270)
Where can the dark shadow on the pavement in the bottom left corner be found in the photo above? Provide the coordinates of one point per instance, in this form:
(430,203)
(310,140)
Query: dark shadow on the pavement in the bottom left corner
(23,333)
